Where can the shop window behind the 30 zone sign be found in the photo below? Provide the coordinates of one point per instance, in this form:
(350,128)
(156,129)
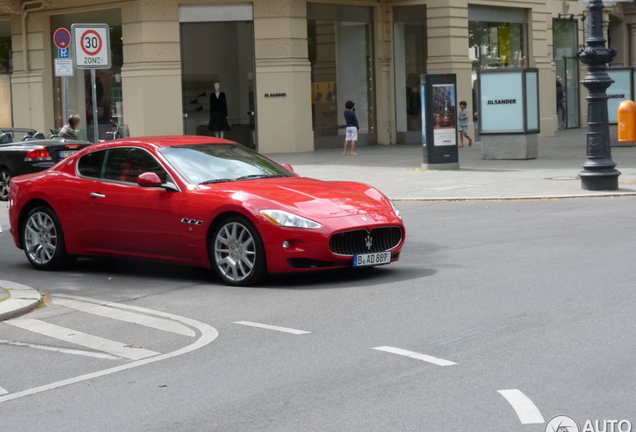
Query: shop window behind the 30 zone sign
(108,81)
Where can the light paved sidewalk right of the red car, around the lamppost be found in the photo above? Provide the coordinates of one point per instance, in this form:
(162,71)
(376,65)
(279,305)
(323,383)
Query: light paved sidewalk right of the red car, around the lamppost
(396,171)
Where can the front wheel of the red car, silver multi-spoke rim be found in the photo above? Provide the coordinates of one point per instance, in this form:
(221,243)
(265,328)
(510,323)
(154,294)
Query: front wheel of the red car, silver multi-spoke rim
(237,252)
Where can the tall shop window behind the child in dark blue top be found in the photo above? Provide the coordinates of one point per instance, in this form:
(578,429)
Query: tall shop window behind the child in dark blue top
(340,44)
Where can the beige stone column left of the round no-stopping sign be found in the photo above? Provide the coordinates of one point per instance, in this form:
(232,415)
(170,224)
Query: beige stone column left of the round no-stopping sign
(32,88)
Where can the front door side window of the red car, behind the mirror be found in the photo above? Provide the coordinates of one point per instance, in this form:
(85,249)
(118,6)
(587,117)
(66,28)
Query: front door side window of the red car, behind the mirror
(126,163)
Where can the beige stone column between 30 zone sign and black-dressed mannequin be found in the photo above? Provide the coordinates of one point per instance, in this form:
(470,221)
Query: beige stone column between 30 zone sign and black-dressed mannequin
(151,75)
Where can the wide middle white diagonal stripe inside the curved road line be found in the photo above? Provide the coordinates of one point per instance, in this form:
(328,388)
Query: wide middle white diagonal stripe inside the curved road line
(76,337)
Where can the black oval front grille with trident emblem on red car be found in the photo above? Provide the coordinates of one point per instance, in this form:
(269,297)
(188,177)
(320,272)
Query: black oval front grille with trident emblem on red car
(364,241)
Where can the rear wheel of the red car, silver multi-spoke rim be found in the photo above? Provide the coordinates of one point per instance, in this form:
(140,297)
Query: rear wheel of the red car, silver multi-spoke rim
(43,240)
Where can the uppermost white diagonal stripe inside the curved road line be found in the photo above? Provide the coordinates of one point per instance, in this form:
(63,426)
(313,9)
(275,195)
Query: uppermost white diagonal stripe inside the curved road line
(152,322)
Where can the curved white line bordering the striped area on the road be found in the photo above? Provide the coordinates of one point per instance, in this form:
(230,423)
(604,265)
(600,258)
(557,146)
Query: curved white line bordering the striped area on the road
(208,334)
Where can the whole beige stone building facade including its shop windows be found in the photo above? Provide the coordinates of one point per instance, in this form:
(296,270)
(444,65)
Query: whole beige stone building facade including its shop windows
(288,66)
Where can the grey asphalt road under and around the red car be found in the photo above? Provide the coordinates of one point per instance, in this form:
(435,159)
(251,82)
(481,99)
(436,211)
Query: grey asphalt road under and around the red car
(509,312)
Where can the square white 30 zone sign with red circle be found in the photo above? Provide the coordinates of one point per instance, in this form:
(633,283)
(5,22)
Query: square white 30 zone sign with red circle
(91,46)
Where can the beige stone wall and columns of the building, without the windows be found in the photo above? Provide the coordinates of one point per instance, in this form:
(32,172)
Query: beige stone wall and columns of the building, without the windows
(151,75)
